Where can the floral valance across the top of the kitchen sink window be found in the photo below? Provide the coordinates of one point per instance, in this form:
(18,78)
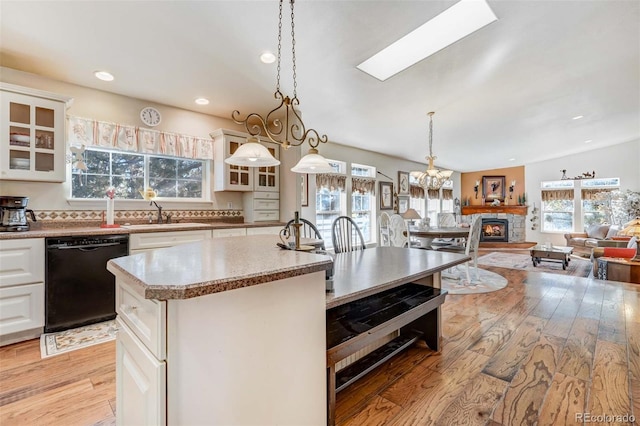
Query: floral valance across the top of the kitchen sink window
(84,131)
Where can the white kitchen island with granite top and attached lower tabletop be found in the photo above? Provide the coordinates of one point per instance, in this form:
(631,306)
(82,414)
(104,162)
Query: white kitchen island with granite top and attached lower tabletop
(232,331)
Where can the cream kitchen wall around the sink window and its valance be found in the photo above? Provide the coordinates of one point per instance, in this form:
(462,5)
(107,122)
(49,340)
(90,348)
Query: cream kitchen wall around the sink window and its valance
(104,106)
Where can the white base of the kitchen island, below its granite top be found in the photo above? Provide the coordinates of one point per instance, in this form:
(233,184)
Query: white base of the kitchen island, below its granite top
(232,357)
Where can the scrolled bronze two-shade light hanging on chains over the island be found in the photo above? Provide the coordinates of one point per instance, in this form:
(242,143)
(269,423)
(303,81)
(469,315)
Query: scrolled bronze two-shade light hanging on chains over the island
(282,125)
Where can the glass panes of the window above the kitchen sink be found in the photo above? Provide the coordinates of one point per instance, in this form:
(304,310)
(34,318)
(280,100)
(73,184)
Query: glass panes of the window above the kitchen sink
(172,178)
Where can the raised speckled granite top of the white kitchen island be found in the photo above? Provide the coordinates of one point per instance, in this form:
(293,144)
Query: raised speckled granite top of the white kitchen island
(213,266)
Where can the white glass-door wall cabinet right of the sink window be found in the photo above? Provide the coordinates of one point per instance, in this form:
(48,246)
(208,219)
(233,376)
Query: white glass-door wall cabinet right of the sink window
(227,177)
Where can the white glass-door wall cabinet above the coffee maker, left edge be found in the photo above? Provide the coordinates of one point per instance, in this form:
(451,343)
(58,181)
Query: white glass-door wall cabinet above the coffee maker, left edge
(32,134)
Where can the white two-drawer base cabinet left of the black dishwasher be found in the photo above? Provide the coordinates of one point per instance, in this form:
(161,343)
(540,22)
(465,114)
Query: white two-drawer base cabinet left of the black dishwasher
(21,289)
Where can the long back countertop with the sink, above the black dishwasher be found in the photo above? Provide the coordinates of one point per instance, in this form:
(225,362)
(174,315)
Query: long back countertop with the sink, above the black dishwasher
(60,231)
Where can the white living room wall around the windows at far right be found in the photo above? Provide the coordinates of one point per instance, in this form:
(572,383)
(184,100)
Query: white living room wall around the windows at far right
(621,161)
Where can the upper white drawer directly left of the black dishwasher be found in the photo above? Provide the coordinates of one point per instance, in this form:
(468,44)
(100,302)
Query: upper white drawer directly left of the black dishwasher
(21,261)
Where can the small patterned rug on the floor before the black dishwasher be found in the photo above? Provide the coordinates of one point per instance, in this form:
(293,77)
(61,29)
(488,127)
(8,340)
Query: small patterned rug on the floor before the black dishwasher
(52,344)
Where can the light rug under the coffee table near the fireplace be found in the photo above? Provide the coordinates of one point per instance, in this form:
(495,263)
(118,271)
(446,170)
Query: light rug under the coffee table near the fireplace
(577,267)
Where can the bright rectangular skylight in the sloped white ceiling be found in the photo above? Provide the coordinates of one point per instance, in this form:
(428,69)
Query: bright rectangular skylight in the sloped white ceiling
(455,23)
